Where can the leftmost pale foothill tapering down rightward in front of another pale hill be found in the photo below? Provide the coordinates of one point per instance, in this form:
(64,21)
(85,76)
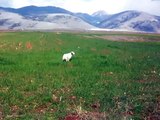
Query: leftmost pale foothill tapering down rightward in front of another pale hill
(14,21)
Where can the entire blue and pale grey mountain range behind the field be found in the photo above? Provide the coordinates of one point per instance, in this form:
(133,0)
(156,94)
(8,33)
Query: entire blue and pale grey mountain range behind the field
(49,18)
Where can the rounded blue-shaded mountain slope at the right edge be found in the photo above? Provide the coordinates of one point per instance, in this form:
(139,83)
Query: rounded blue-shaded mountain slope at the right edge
(133,21)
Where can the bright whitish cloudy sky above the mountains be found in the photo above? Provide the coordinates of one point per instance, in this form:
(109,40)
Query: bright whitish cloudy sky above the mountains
(91,6)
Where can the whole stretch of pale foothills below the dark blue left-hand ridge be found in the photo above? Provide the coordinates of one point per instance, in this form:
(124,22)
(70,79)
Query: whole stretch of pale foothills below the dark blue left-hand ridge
(15,21)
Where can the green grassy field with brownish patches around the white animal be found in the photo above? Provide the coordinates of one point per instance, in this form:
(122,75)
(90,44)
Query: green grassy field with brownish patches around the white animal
(105,80)
